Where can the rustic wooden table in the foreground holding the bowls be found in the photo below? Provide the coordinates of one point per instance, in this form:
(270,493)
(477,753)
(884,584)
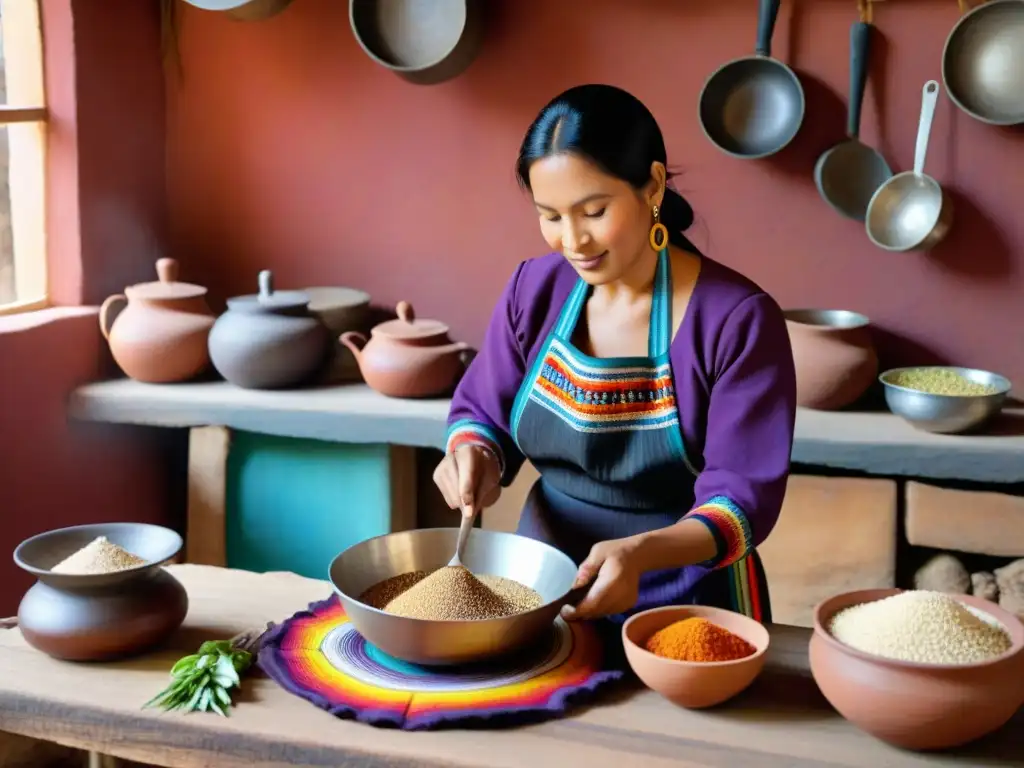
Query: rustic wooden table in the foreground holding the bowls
(781,722)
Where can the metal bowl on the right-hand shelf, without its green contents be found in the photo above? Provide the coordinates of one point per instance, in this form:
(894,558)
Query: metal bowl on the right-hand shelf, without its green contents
(947,414)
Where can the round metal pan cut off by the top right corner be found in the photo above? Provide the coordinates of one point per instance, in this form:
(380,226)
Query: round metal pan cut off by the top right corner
(984,62)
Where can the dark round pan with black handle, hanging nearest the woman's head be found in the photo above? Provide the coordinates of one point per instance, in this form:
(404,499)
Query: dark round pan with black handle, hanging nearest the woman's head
(753,107)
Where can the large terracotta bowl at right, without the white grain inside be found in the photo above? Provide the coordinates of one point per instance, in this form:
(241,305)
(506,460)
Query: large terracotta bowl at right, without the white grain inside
(918,706)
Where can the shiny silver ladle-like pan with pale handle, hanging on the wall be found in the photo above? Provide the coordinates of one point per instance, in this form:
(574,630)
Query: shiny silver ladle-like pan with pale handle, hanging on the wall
(911,211)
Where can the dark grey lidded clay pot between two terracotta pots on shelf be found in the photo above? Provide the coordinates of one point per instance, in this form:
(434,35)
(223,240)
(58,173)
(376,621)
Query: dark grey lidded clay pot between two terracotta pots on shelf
(270,340)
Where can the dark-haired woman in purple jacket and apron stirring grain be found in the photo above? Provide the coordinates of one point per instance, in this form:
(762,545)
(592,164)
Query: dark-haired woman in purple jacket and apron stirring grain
(653,389)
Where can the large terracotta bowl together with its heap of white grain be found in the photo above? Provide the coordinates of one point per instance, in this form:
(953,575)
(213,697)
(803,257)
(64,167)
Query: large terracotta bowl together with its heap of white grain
(918,669)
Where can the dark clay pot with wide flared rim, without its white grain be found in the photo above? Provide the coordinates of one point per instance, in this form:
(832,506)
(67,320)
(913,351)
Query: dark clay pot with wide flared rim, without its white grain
(101,617)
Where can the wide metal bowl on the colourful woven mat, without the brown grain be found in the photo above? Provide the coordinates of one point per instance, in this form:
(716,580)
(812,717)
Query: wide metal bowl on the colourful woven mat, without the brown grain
(488,552)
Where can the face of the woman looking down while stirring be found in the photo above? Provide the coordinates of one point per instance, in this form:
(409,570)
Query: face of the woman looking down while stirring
(601,224)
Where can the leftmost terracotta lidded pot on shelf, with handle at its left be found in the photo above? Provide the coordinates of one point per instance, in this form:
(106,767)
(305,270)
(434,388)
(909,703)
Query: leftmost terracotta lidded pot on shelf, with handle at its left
(161,335)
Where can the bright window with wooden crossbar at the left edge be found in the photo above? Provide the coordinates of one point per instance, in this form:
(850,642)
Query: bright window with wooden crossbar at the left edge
(23,158)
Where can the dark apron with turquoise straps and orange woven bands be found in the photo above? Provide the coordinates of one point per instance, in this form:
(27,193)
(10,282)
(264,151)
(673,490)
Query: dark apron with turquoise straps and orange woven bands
(606,438)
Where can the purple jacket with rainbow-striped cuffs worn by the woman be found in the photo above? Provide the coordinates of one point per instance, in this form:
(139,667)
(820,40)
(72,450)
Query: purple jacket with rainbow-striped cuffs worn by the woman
(735,380)
